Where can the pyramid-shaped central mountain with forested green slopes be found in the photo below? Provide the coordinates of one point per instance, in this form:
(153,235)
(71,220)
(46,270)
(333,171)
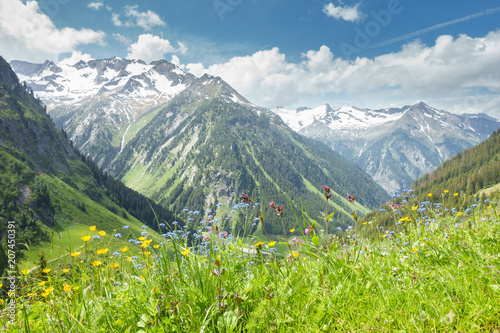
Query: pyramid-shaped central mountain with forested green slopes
(208,144)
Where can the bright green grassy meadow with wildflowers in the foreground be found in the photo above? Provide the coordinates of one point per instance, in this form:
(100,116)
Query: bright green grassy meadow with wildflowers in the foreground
(435,271)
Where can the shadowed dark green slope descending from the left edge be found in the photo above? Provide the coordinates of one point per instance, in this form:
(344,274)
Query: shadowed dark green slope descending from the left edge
(49,189)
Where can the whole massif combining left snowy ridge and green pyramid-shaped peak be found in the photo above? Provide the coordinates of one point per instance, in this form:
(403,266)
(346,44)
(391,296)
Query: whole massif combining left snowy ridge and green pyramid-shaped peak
(191,143)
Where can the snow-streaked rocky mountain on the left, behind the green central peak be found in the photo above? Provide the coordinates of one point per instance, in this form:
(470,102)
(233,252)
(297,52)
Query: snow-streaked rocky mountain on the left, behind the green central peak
(98,101)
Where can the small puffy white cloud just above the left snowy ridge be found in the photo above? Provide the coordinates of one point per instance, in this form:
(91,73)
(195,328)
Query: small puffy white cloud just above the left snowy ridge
(149,48)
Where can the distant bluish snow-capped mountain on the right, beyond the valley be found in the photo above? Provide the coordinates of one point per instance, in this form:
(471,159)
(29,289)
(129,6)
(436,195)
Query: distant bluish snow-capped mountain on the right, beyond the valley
(395,146)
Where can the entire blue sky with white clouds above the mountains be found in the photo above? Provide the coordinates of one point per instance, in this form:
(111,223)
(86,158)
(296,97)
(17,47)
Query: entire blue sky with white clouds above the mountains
(372,53)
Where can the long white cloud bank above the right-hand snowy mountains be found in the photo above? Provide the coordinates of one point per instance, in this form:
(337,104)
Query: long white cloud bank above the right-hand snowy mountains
(452,67)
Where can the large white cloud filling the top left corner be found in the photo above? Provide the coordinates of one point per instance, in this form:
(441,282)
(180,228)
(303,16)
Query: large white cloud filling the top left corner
(27,33)
